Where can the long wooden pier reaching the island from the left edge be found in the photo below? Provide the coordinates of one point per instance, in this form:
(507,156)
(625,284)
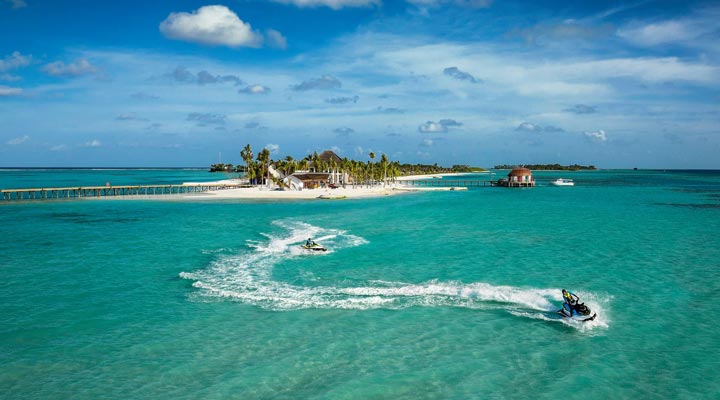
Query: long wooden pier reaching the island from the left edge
(108,191)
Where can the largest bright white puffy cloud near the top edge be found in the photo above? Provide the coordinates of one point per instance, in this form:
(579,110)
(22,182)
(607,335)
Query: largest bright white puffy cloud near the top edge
(210,25)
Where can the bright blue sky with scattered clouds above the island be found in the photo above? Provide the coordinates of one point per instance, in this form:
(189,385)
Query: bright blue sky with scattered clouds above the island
(479,82)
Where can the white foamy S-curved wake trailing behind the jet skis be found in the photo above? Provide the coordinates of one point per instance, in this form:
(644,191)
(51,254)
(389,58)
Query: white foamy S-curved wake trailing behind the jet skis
(248,277)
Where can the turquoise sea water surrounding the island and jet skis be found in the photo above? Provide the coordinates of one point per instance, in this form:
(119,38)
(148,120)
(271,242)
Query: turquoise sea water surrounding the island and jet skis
(444,295)
